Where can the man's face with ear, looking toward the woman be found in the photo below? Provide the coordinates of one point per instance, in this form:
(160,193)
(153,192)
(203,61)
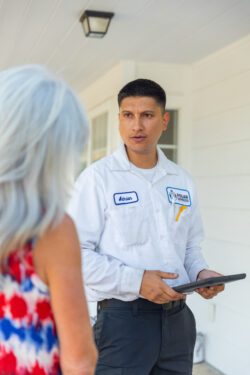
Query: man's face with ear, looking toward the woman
(141,123)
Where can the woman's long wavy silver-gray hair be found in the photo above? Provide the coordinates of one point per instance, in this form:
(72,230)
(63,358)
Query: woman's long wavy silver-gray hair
(43,130)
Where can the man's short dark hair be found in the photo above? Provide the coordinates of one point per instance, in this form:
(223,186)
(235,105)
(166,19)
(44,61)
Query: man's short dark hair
(143,87)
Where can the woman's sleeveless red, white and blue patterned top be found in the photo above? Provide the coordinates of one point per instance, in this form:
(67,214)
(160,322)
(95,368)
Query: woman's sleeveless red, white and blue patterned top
(28,338)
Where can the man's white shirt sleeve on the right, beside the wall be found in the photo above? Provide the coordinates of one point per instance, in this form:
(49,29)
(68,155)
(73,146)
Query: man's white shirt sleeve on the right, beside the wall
(194,261)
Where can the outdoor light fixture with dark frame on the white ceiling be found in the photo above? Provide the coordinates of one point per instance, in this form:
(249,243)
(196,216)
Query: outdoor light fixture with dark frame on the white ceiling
(95,24)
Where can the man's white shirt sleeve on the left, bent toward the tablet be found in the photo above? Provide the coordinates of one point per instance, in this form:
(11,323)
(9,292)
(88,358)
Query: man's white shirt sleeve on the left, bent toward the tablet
(102,273)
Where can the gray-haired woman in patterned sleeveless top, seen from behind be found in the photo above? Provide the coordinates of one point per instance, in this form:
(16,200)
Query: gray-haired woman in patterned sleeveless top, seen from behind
(44,321)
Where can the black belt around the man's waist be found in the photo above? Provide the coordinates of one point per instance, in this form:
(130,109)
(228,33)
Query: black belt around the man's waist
(140,304)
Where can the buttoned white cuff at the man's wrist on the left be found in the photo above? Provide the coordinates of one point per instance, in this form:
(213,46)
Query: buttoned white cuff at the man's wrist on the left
(131,281)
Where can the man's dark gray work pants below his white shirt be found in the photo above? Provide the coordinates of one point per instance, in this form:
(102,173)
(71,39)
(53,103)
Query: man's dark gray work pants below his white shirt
(141,338)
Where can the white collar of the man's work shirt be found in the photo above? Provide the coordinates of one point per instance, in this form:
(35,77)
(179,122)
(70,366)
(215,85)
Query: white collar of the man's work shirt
(120,162)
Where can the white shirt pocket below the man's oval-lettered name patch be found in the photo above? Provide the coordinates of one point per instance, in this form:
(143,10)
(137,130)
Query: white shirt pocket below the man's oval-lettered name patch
(130,225)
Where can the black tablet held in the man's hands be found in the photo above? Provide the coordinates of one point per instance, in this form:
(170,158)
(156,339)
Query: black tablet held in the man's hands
(189,288)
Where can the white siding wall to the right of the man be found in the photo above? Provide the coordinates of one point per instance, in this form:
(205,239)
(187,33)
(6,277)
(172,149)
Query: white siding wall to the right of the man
(220,164)
